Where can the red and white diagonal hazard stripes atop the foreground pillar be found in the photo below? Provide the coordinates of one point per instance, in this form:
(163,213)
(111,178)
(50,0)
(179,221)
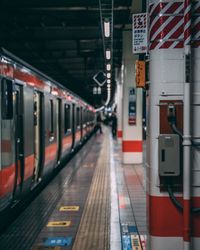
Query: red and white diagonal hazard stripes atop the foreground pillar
(169,28)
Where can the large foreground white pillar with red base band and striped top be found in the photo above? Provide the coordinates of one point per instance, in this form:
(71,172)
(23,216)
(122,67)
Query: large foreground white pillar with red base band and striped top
(169,228)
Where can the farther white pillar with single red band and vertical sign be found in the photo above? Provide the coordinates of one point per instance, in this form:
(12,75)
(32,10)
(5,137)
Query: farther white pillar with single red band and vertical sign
(132,105)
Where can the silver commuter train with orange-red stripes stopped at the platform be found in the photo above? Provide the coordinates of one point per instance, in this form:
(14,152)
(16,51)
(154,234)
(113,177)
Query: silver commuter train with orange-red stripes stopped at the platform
(42,123)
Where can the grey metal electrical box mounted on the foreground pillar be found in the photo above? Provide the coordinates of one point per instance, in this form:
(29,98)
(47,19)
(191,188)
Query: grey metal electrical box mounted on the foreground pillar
(169,155)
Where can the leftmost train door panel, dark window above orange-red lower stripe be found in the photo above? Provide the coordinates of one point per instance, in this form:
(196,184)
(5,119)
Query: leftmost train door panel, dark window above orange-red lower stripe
(7,144)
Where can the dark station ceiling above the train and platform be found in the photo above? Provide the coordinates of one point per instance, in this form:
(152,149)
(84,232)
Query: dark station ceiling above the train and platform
(63,39)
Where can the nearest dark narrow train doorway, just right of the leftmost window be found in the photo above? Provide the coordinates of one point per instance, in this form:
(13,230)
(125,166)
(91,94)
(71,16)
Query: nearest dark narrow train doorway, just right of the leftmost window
(19,140)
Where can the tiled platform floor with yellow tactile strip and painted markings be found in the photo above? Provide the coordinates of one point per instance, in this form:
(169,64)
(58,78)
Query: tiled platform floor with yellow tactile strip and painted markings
(94,203)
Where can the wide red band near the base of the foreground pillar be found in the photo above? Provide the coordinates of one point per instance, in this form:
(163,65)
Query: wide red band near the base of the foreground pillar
(165,220)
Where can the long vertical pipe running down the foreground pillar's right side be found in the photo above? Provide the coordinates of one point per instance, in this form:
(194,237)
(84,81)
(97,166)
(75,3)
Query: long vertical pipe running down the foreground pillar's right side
(187,130)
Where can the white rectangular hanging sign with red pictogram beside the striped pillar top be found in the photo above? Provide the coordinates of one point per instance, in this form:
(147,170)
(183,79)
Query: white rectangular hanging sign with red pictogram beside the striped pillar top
(140,33)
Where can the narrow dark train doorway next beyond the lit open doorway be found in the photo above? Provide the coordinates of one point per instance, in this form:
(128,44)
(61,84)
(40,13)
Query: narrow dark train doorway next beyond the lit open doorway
(59,129)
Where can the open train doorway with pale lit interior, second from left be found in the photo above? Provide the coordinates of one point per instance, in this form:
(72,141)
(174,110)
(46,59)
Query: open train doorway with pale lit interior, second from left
(38,145)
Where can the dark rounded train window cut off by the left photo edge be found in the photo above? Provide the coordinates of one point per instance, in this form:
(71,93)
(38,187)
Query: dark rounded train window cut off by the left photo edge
(7,99)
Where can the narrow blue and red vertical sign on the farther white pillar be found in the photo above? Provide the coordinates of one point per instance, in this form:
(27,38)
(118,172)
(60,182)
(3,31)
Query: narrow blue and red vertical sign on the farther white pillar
(132,107)
